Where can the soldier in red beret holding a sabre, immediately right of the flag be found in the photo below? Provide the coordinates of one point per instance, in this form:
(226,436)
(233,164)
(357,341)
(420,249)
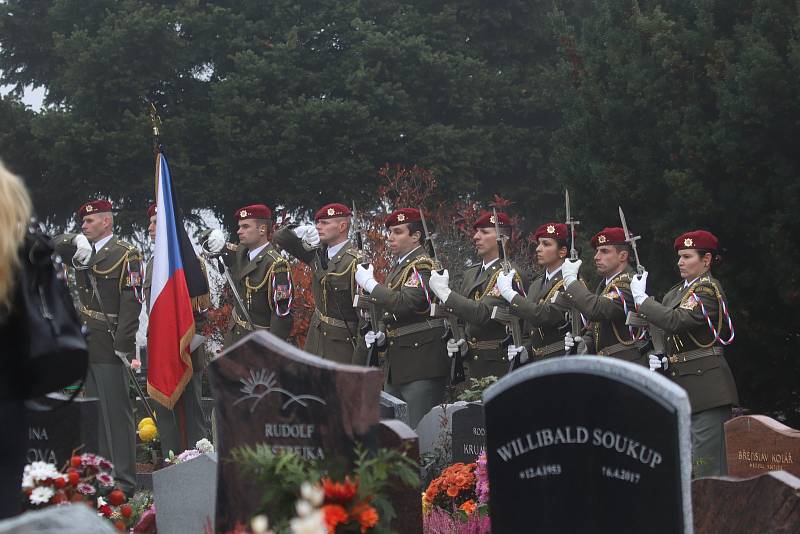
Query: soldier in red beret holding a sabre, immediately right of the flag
(262,276)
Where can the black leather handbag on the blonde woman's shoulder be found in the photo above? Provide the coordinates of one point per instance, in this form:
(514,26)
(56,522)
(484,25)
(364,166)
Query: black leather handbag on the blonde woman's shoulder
(45,346)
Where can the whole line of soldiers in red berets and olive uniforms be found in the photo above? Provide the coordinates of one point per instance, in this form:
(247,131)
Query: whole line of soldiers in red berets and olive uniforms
(425,333)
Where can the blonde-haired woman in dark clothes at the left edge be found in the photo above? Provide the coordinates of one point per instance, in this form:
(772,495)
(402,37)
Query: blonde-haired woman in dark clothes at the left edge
(15,211)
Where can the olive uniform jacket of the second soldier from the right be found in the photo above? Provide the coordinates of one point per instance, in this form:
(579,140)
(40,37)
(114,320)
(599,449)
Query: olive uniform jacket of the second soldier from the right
(605,309)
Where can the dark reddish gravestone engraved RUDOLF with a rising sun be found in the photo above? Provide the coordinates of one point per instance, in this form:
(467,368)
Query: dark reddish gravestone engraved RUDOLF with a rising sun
(267,391)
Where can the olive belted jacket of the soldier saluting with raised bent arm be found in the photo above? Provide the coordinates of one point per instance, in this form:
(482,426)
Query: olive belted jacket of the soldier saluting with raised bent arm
(334,289)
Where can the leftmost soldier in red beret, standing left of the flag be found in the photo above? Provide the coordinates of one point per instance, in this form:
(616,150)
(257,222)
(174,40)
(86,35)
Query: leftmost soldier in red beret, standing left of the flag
(108,276)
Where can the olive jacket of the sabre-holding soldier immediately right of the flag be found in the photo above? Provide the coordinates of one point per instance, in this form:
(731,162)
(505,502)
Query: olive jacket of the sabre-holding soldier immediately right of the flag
(264,284)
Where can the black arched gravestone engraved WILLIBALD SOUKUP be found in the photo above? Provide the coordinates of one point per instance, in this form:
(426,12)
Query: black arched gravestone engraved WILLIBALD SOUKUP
(599,445)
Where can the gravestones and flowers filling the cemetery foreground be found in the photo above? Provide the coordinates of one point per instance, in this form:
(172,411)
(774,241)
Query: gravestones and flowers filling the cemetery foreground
(302,445)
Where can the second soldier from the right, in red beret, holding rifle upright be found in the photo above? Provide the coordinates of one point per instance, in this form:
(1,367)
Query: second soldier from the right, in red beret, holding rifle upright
(607,308)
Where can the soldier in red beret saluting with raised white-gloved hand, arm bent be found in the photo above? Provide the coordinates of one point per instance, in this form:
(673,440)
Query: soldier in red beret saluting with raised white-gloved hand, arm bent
(334,330)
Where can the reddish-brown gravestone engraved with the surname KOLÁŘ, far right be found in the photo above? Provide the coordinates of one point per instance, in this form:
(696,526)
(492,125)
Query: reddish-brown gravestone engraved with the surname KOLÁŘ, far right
(756,444)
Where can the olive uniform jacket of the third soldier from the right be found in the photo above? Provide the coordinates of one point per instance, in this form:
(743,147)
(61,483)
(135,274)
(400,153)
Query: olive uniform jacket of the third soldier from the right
(545,320)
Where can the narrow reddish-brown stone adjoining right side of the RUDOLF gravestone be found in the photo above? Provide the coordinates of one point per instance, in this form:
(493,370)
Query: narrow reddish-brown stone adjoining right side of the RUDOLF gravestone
(394,434)
